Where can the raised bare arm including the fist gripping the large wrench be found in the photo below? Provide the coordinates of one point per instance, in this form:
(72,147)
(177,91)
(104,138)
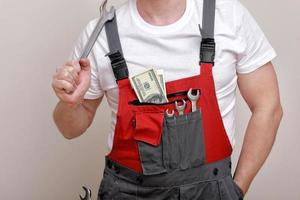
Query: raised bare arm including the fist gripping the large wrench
(73,115)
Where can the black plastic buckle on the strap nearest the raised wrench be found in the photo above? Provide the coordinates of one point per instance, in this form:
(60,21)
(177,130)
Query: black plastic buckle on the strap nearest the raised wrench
(119,65)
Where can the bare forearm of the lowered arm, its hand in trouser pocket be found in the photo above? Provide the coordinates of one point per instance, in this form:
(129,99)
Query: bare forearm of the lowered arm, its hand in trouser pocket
(259,138)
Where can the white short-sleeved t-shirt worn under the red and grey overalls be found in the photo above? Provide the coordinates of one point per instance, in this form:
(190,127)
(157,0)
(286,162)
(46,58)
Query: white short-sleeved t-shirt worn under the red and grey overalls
(241,47)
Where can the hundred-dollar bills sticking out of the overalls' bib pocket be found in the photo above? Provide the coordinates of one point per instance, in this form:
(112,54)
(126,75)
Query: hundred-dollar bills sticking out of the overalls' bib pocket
(148,87)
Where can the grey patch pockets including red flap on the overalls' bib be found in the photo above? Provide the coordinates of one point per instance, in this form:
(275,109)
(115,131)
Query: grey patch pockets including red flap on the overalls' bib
(168,143)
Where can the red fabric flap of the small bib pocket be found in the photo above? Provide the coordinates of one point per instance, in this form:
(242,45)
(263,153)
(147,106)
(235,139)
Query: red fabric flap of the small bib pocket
(149,127)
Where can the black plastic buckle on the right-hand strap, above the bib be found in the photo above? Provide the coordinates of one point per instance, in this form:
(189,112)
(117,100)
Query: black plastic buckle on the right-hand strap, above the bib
(207,50)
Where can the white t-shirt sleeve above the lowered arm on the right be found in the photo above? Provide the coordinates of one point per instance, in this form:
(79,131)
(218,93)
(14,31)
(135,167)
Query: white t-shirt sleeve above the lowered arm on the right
(256,50)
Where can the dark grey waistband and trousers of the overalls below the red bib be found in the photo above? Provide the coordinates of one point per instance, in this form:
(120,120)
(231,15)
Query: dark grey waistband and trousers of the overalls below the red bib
(193,184)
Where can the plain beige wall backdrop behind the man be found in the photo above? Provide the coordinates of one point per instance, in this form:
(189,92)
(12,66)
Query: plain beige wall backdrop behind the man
(36,162)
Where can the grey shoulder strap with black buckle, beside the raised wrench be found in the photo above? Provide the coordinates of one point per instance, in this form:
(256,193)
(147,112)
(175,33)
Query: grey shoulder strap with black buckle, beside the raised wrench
(115,55)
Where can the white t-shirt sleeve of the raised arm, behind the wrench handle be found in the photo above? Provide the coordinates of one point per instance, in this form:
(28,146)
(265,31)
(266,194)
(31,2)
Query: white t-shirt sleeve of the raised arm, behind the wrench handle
(95,90)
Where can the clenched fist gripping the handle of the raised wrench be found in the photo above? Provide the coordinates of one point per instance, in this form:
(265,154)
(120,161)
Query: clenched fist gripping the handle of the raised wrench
(72,80)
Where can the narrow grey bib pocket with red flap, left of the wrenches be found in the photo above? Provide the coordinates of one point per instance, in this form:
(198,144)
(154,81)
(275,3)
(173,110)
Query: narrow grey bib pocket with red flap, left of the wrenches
(148,132)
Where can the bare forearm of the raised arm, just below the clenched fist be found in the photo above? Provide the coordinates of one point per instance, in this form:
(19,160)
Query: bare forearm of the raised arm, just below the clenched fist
(72,121)
